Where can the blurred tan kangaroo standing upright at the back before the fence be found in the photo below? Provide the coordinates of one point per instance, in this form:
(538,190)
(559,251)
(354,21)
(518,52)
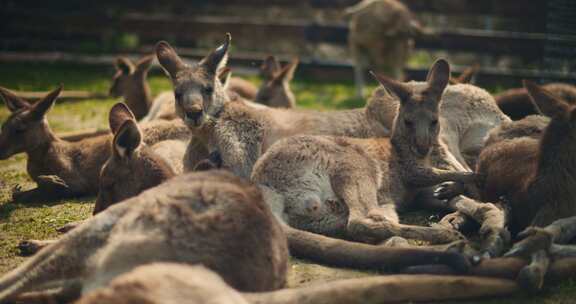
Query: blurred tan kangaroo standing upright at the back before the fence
(381,37)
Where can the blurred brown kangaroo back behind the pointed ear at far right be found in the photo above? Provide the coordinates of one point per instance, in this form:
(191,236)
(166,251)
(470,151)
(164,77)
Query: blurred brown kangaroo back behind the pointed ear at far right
(516,102)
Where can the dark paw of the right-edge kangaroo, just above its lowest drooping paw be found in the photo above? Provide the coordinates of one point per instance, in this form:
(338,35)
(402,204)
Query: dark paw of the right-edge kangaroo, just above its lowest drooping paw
(534,240)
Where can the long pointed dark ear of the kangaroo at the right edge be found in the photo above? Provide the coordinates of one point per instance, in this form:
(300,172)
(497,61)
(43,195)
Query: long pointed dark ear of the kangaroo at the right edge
(546,102)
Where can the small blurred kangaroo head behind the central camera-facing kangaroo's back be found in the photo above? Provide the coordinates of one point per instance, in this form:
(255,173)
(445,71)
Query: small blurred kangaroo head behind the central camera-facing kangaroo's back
(275,89)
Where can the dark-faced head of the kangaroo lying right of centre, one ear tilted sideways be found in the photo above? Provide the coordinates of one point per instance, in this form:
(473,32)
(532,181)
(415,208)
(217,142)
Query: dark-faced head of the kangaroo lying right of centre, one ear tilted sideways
(417,118)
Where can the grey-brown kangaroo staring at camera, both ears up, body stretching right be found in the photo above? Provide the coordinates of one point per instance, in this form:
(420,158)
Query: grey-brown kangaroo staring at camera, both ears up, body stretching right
(239,132)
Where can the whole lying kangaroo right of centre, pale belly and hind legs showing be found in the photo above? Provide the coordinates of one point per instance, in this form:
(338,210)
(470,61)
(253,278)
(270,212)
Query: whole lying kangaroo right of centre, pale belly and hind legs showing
(351,187)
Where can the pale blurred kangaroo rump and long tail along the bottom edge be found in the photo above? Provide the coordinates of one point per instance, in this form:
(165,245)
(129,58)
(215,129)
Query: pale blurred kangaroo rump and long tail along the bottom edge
(170,283)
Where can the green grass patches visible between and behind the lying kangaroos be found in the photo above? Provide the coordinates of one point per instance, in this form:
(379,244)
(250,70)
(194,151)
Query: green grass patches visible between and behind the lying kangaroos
(39,221)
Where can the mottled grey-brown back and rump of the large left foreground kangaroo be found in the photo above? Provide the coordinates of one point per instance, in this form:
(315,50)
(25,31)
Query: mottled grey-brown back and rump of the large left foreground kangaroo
(201,218)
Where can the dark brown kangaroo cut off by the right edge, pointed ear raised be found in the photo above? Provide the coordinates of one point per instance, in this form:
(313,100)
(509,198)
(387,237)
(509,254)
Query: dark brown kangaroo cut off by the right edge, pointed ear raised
(532,177)
